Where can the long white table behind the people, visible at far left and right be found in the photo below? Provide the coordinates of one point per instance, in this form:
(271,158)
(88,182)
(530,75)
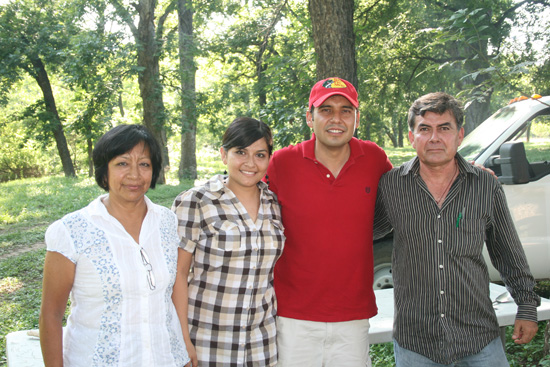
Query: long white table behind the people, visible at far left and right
(24,351)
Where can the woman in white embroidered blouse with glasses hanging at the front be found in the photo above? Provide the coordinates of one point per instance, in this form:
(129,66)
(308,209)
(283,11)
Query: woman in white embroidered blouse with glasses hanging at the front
(116,258)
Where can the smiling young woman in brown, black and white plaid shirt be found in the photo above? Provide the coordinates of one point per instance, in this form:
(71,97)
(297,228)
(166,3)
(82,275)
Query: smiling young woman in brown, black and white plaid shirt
(231,236)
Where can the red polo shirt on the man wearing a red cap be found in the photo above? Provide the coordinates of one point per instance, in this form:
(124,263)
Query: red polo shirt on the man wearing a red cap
(326,271)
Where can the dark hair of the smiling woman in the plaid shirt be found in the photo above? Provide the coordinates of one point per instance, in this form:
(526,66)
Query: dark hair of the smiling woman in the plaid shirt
(244,131)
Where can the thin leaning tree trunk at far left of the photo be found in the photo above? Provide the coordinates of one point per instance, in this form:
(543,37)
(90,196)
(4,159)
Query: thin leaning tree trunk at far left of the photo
(41,76)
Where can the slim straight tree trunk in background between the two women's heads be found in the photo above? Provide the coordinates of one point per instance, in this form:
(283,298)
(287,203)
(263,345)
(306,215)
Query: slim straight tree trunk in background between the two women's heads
(188,161)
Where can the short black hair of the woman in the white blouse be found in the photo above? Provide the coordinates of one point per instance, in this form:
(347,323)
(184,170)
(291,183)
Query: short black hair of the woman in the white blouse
(119,140)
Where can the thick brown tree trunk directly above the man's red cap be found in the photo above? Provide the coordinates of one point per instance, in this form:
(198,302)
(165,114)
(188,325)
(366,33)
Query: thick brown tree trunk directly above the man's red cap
(334,40)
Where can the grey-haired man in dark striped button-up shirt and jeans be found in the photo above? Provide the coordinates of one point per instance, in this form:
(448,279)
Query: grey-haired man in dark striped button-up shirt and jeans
(442,210)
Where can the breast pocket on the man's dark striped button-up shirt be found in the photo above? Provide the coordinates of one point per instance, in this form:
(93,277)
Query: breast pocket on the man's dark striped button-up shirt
(470,237)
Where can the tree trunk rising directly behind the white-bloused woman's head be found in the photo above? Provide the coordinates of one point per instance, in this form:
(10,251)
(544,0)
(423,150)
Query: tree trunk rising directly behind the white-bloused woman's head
(150,87)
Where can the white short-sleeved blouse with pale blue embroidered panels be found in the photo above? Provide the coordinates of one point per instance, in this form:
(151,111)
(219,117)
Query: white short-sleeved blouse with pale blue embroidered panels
(116,318)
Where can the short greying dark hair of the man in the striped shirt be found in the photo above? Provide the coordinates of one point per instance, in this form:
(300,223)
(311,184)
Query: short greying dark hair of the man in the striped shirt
(438,102)
